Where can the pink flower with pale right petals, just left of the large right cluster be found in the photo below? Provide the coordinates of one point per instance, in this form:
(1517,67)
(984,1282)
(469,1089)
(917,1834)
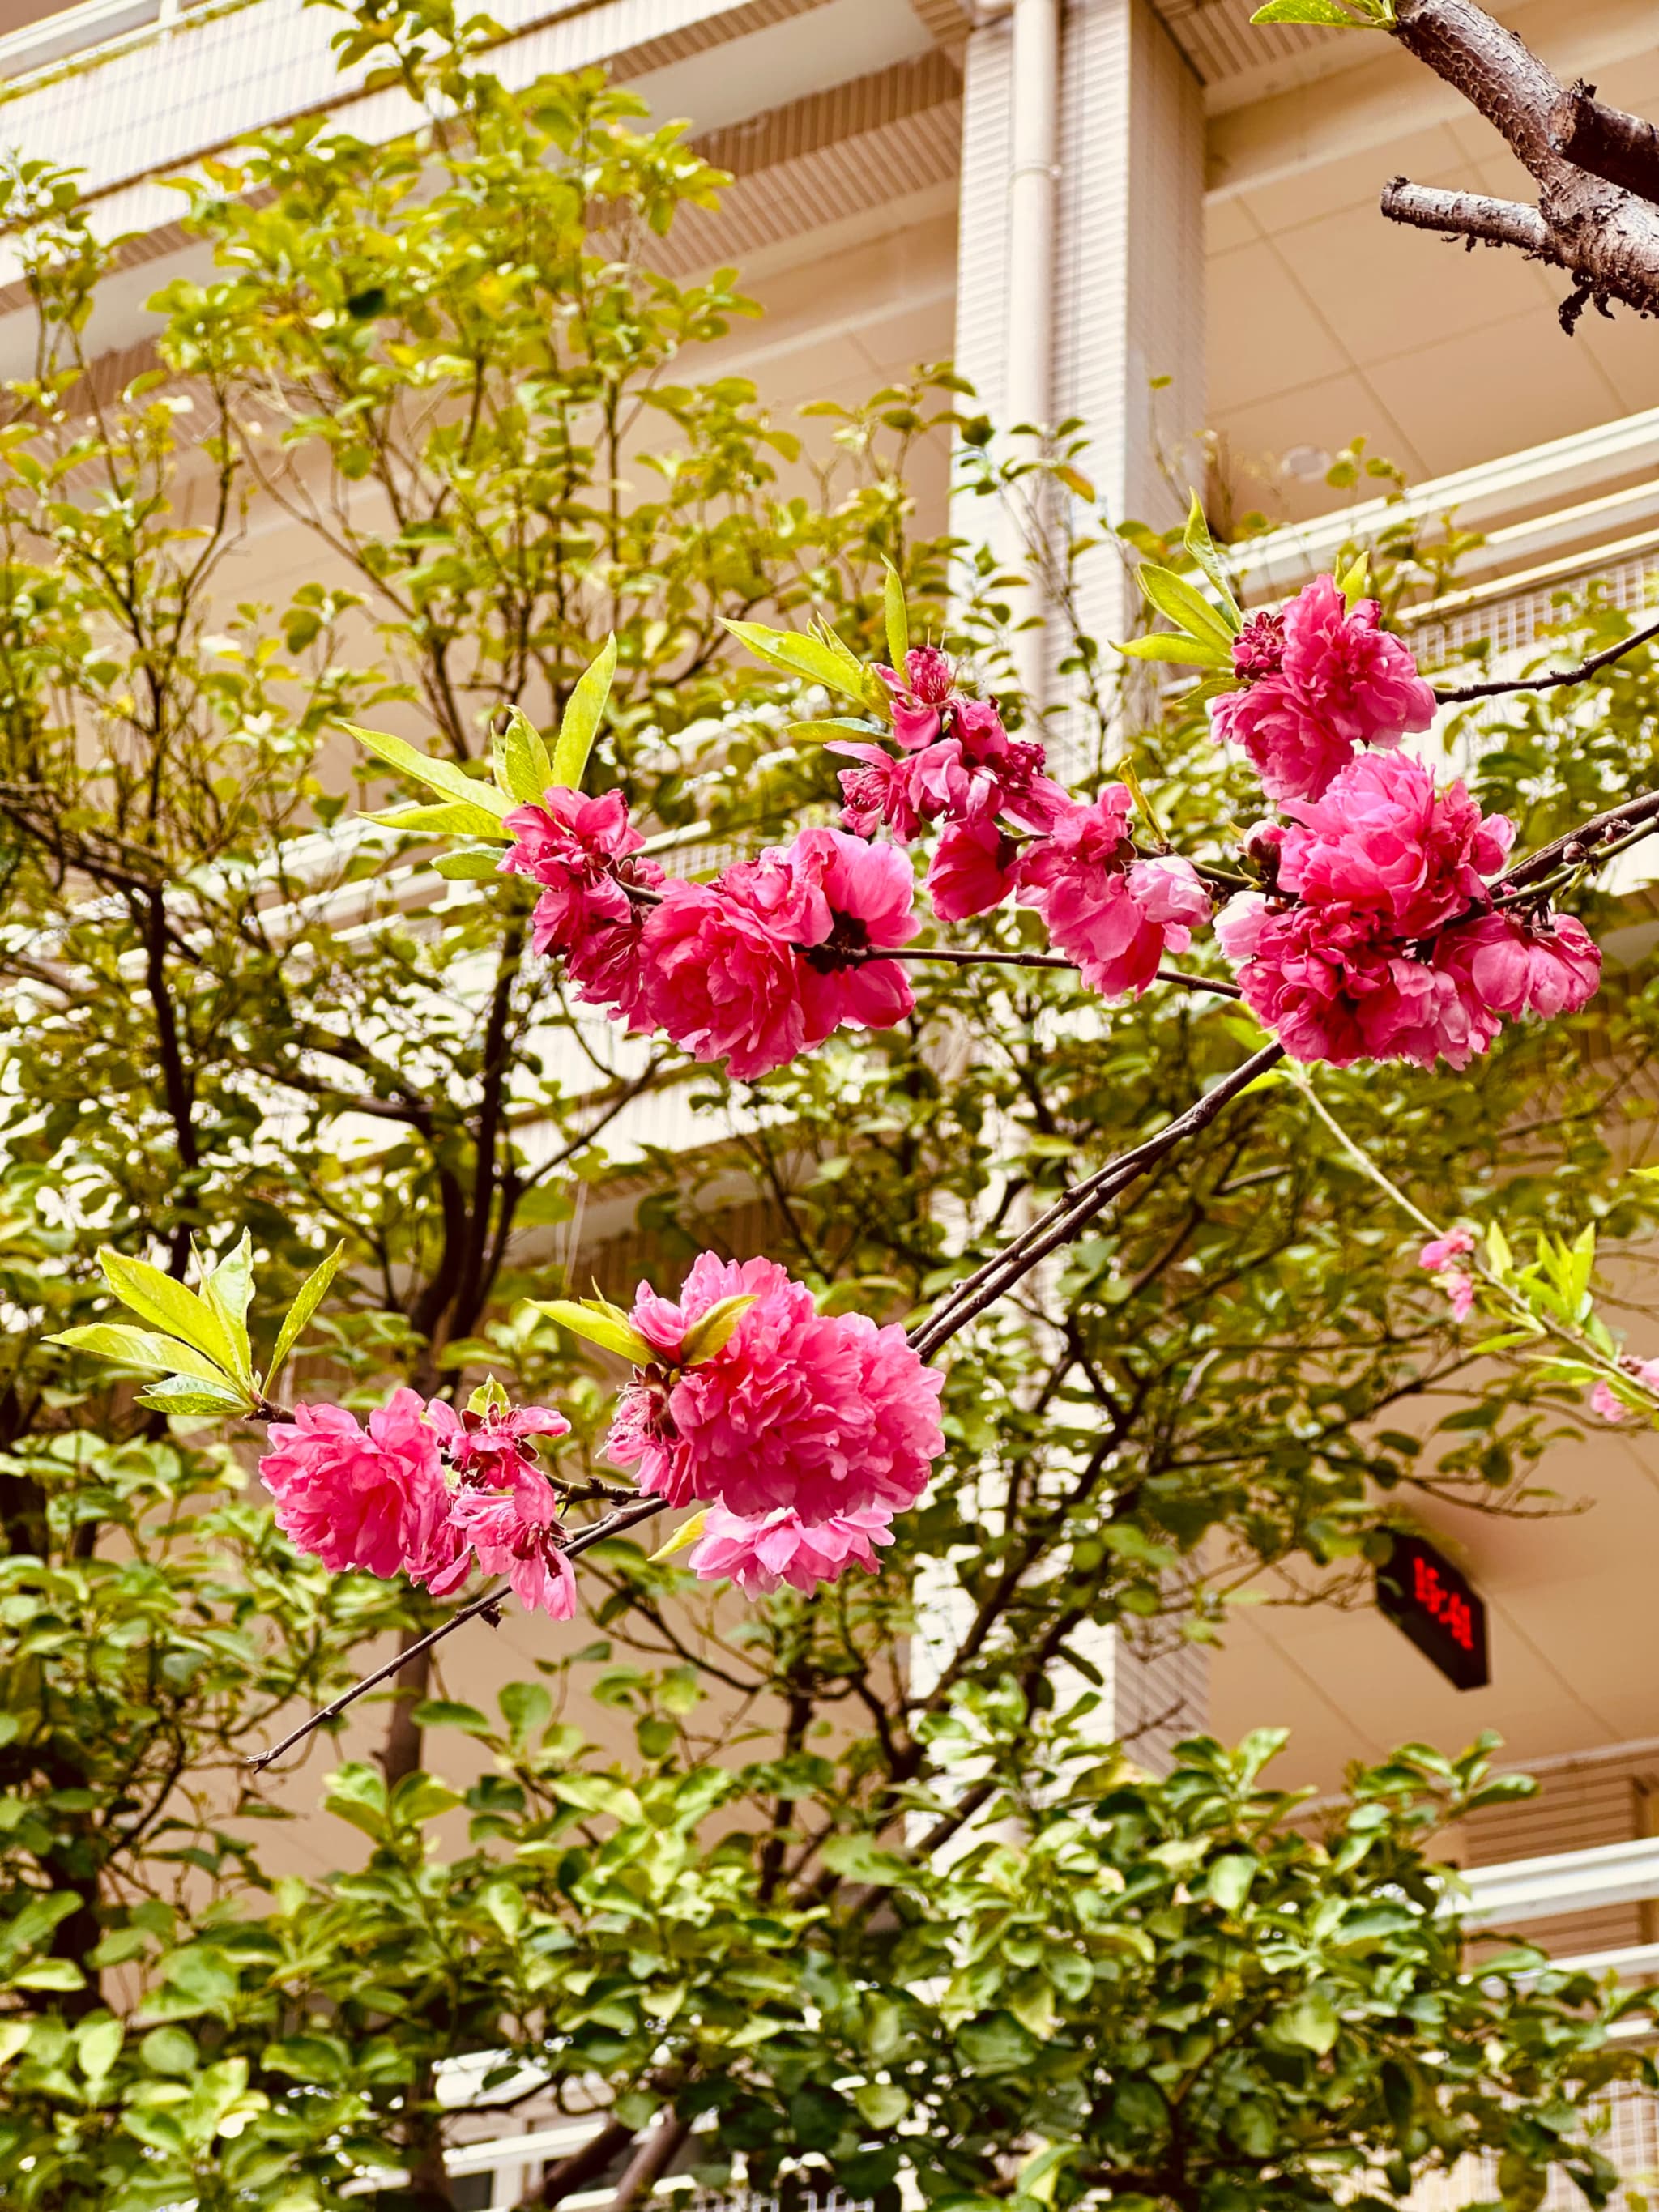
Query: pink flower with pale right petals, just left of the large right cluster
(1105,910)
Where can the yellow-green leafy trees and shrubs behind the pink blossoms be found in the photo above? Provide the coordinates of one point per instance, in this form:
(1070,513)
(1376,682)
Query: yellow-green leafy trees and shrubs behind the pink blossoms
(793,1908)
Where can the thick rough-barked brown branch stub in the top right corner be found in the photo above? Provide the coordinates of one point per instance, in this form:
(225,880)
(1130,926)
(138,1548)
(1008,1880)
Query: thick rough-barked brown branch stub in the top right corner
(1594,213)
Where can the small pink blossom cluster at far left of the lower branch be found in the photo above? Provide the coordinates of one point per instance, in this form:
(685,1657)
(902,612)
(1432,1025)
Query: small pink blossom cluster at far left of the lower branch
(382,1501)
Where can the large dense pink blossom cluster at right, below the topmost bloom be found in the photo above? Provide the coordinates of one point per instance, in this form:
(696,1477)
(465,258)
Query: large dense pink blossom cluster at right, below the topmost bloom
(1381,941)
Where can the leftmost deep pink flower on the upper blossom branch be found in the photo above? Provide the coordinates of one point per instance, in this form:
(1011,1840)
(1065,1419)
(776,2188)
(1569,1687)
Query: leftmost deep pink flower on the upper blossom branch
(581,851)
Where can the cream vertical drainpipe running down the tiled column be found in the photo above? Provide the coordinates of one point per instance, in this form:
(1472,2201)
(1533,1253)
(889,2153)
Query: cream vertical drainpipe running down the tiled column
(1034,213)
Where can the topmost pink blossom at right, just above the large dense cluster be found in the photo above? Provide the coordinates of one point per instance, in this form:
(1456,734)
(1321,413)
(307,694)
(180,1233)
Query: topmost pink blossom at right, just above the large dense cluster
(1319,680)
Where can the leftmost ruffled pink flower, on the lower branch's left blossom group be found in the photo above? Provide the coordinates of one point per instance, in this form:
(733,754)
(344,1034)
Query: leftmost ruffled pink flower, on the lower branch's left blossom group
(364,1501)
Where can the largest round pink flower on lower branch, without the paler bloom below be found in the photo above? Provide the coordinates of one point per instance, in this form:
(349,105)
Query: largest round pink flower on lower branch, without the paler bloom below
(822,1415)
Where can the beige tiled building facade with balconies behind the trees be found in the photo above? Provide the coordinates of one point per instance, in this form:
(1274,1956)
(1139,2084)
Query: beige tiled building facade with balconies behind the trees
(1160,220)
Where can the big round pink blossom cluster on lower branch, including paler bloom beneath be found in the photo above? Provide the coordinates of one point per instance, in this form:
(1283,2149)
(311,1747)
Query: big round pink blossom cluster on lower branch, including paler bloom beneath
(804,1434)
